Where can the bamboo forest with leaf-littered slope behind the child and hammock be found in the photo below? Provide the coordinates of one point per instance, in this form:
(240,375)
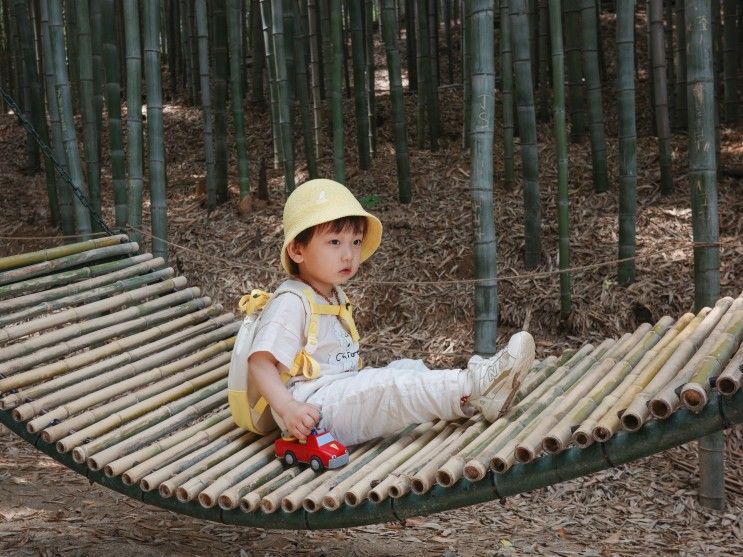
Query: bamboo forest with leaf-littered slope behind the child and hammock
(567,123)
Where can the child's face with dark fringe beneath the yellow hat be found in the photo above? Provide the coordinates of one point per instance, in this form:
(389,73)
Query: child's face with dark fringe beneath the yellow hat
(329,258)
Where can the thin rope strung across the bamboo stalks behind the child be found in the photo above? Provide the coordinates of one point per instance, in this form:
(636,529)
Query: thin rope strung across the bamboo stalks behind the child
(513,277)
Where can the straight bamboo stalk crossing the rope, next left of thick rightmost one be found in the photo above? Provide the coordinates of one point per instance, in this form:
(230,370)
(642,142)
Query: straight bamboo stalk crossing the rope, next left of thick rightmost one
(627,140)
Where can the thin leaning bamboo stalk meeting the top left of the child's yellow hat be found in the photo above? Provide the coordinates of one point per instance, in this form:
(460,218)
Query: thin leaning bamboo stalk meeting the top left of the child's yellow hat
(303,87)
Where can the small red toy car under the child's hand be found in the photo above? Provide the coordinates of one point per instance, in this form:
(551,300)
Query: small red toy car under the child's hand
(320,451)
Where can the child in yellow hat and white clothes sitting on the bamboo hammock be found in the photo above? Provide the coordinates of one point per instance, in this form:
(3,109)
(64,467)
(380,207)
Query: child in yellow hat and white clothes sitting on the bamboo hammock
(327,235)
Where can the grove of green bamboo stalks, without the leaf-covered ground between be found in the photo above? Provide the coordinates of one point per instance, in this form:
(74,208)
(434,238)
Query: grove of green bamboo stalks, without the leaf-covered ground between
(518,63)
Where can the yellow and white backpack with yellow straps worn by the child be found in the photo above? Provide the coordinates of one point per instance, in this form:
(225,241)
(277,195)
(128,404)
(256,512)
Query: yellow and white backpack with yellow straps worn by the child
(249,409)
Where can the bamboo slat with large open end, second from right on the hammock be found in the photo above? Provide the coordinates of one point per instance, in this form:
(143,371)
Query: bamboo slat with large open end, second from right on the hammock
(695,393)
